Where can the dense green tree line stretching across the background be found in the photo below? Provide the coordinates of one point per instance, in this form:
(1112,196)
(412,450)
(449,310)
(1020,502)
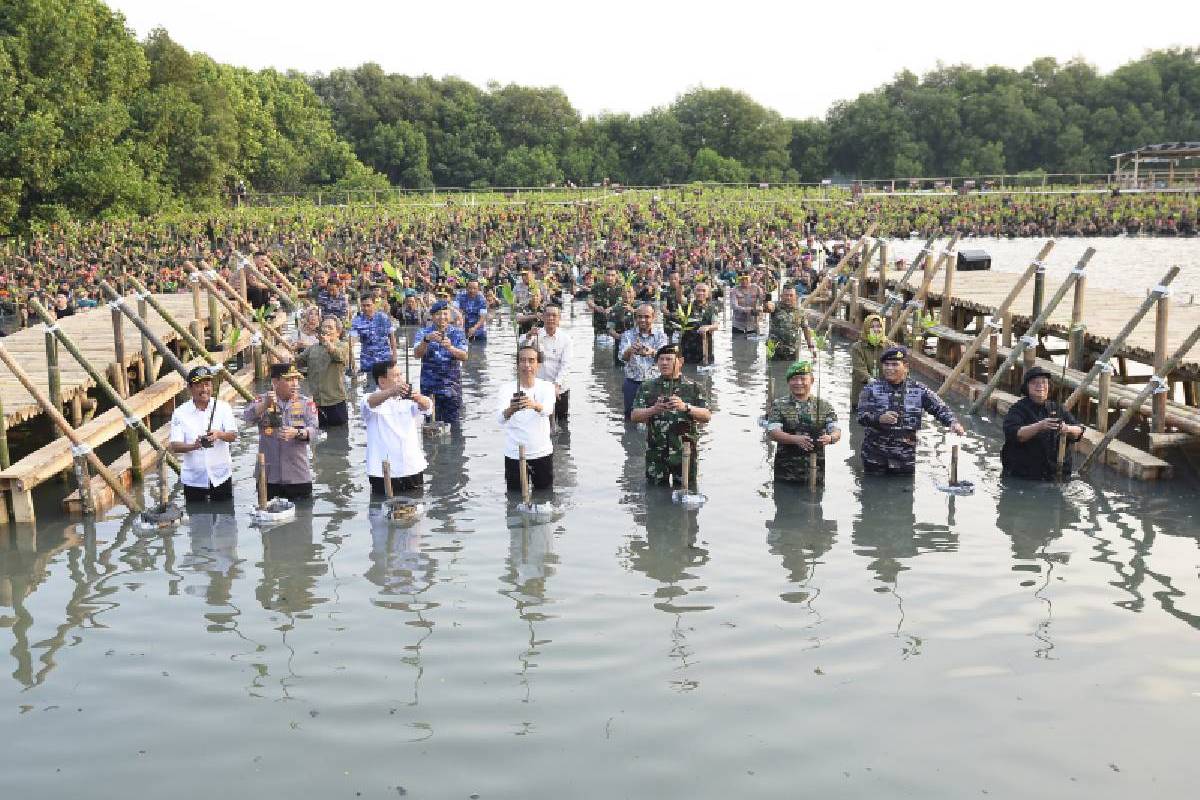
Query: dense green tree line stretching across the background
(97,124)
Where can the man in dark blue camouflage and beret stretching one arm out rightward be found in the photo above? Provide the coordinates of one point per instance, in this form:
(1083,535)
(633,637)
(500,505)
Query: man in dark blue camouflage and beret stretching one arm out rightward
(892,410)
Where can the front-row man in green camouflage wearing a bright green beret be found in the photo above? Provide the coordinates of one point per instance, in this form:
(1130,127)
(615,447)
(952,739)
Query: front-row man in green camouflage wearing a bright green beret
(801,425)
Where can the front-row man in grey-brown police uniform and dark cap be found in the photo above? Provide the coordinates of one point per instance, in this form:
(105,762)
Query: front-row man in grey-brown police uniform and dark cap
(287,423)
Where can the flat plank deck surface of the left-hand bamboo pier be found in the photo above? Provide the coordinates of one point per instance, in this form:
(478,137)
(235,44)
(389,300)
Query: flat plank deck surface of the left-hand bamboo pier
(93,334)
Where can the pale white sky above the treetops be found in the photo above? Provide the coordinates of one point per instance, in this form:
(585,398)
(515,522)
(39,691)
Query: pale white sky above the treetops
(621,56)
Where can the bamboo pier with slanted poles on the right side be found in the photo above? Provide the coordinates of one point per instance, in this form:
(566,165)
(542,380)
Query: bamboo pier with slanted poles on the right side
(1075,324)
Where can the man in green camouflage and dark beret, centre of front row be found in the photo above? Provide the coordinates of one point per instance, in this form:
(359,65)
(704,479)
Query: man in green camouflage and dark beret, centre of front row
(673,410)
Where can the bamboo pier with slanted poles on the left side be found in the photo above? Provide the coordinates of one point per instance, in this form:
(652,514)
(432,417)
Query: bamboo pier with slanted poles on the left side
(147,382)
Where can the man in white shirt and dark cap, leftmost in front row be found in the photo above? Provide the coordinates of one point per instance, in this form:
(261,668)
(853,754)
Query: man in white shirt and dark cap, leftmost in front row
(201,432)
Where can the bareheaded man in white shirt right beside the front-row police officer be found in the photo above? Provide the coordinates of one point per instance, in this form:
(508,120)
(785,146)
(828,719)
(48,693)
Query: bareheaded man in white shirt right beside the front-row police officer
(393,414)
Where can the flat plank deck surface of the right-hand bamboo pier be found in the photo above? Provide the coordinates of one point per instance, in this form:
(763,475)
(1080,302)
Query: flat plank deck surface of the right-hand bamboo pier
(1106,312)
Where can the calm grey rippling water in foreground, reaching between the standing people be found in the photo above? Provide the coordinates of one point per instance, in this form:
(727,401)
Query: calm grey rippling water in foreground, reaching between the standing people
(883,640)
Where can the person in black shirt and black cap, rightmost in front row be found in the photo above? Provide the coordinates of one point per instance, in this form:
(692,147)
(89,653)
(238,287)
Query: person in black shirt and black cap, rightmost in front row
(1033,429)
